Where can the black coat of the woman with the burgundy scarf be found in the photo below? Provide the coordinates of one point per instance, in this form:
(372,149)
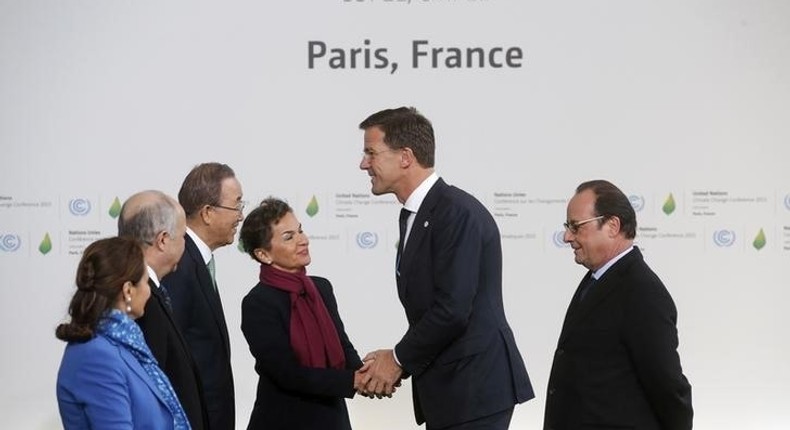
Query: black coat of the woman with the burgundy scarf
(291,396)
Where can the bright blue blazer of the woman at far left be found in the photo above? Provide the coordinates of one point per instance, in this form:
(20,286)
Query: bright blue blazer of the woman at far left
(101,385)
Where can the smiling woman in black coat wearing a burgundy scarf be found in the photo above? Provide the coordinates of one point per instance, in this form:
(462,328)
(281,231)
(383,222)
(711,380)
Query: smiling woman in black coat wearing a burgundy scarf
(306,363)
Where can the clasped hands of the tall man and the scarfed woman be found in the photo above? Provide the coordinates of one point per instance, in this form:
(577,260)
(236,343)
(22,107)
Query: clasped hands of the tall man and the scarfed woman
(379,375)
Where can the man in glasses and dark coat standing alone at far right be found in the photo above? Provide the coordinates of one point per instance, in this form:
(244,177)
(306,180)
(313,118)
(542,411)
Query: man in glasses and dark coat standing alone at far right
(616,363)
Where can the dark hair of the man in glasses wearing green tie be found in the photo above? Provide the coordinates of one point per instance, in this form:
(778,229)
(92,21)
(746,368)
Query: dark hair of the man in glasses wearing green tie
(203,186)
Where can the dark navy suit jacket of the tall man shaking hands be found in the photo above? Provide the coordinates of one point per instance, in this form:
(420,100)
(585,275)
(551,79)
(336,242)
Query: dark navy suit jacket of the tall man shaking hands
(459,347)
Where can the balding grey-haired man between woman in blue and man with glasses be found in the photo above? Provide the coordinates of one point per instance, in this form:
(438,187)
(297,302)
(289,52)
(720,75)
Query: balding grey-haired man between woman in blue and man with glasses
(157,221)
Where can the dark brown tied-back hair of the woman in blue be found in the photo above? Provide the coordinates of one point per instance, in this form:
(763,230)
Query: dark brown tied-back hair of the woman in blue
(105,266)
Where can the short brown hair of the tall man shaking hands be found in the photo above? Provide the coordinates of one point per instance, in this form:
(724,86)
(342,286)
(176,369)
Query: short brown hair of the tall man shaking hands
(404,127)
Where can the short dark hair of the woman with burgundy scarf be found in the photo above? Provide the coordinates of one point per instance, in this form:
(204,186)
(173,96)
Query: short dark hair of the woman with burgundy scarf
(256,231)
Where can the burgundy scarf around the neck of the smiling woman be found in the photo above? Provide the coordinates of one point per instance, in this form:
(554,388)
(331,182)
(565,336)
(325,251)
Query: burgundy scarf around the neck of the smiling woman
(314,337)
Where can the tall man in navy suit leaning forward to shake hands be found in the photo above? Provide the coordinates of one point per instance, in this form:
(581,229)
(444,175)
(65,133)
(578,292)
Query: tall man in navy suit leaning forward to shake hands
(467,372)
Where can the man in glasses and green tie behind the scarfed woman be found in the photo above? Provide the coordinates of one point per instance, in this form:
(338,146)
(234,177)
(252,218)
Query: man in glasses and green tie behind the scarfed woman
(211,198)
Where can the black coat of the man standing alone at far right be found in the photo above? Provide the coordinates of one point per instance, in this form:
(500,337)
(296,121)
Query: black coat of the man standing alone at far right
(616,363)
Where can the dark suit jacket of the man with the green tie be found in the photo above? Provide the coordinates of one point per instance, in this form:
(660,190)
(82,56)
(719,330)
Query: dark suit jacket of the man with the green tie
(198,313)
